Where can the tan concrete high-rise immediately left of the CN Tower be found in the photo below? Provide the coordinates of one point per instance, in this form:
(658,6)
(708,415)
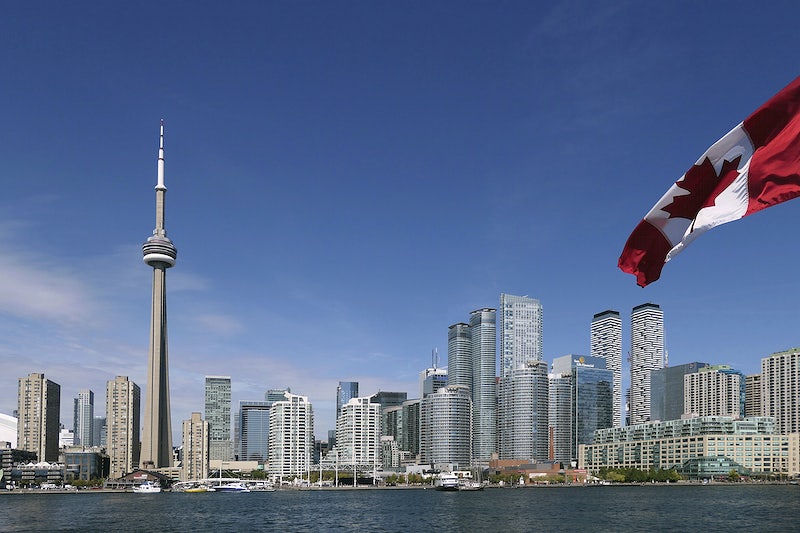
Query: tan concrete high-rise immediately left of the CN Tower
(123,399)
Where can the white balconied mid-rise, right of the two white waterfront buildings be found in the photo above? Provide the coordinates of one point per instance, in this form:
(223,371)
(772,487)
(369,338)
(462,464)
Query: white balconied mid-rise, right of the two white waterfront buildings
(358,434)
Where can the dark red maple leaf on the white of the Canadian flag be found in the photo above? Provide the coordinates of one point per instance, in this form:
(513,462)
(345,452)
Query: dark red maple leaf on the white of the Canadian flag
(703,185)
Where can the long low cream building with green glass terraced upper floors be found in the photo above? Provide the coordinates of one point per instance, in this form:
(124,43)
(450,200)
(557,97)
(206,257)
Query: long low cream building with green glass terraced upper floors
(753,443)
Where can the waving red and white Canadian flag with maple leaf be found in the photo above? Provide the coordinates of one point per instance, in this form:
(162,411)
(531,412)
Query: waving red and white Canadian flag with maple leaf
(756,165)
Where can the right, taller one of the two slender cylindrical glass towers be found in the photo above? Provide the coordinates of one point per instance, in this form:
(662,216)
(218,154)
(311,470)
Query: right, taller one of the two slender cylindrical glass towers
(483,334)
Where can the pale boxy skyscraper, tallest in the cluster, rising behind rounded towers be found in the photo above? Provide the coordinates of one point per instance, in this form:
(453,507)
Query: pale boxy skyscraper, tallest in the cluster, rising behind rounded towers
(520,331)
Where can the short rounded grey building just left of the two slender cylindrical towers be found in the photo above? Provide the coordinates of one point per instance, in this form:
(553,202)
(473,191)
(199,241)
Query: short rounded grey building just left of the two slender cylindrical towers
(446,428)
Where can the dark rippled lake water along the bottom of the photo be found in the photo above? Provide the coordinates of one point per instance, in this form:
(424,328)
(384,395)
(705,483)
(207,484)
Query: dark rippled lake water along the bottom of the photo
(773,508)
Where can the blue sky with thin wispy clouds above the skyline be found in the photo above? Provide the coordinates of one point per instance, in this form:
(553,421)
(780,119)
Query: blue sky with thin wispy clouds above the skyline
(348,179)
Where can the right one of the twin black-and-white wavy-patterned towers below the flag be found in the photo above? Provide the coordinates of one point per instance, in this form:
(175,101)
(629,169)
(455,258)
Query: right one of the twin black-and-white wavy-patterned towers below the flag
(647,354)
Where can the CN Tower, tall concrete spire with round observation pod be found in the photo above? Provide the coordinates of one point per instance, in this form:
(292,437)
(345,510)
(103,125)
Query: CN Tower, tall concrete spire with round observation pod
(159,253)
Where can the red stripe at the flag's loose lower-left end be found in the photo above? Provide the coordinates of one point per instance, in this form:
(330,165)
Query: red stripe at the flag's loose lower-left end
(644,253)
